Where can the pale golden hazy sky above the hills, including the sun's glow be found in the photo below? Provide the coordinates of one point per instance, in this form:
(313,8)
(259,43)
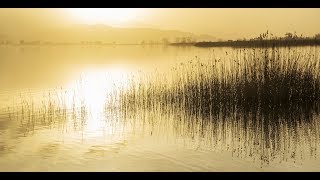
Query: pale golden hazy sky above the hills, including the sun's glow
(221,23)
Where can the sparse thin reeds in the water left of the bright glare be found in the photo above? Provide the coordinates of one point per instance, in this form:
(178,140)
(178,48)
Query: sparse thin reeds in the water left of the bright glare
(51,110)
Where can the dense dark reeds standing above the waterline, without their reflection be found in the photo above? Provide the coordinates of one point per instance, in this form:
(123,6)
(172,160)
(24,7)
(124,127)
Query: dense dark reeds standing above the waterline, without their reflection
(251,79)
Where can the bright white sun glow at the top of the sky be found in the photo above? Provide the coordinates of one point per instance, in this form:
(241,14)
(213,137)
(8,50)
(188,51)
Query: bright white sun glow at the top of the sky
(111,16)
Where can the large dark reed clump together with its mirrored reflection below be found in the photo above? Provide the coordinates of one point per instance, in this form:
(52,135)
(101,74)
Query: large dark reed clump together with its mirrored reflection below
(264,99)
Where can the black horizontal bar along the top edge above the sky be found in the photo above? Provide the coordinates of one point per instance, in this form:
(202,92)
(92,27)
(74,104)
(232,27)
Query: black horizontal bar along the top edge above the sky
(161,3)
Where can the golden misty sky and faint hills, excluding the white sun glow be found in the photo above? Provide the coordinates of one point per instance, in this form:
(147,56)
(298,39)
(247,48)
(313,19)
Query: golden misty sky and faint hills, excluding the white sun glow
(155,24)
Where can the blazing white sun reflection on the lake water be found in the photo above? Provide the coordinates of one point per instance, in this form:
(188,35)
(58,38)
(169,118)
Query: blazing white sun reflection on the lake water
(91,92)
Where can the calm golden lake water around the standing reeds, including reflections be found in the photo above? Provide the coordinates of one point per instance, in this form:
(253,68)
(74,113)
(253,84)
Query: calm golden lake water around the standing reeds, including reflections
(54,117)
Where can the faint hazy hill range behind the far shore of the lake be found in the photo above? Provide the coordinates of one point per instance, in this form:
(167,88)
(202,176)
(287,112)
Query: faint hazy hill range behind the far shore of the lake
(108,34)
